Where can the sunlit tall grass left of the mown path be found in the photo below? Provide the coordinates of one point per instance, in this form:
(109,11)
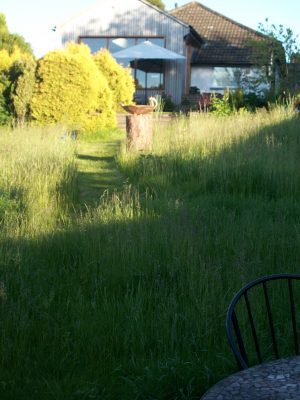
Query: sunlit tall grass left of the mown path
(37,177)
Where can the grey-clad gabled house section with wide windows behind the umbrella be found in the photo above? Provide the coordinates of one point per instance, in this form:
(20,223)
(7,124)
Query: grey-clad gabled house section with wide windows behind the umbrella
(118,24)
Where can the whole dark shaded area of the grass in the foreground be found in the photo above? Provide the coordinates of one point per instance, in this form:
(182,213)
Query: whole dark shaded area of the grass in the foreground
(129,300)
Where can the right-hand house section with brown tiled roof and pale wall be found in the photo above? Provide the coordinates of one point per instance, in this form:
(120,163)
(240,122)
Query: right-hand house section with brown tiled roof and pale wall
(229,55)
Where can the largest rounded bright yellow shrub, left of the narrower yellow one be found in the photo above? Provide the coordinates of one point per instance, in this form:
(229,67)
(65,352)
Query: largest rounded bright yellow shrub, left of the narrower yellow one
(71,90)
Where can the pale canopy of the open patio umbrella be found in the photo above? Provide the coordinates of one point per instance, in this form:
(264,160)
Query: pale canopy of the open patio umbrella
(147,51)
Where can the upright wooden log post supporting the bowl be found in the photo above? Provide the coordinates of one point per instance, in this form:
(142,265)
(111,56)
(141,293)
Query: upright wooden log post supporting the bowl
(139,131)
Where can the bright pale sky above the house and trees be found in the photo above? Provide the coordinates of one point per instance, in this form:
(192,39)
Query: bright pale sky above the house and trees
(34,19)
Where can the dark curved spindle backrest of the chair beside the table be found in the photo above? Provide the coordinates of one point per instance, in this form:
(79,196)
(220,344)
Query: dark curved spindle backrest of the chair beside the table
(234,334)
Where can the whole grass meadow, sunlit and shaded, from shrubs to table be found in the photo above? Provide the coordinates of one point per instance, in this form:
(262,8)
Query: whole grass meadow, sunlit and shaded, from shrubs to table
(125,297)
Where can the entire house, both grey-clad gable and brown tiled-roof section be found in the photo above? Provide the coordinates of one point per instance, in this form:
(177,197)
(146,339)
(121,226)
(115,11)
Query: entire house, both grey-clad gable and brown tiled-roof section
(215,48)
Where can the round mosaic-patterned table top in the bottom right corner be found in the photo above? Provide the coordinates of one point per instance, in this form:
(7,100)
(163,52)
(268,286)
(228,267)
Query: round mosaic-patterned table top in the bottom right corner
(276,380)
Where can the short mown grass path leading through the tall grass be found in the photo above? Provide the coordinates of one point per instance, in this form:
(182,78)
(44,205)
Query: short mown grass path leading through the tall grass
(97,170)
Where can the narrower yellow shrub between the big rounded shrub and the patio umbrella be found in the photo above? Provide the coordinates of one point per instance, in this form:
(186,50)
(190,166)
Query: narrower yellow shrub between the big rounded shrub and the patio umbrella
(119,78)
